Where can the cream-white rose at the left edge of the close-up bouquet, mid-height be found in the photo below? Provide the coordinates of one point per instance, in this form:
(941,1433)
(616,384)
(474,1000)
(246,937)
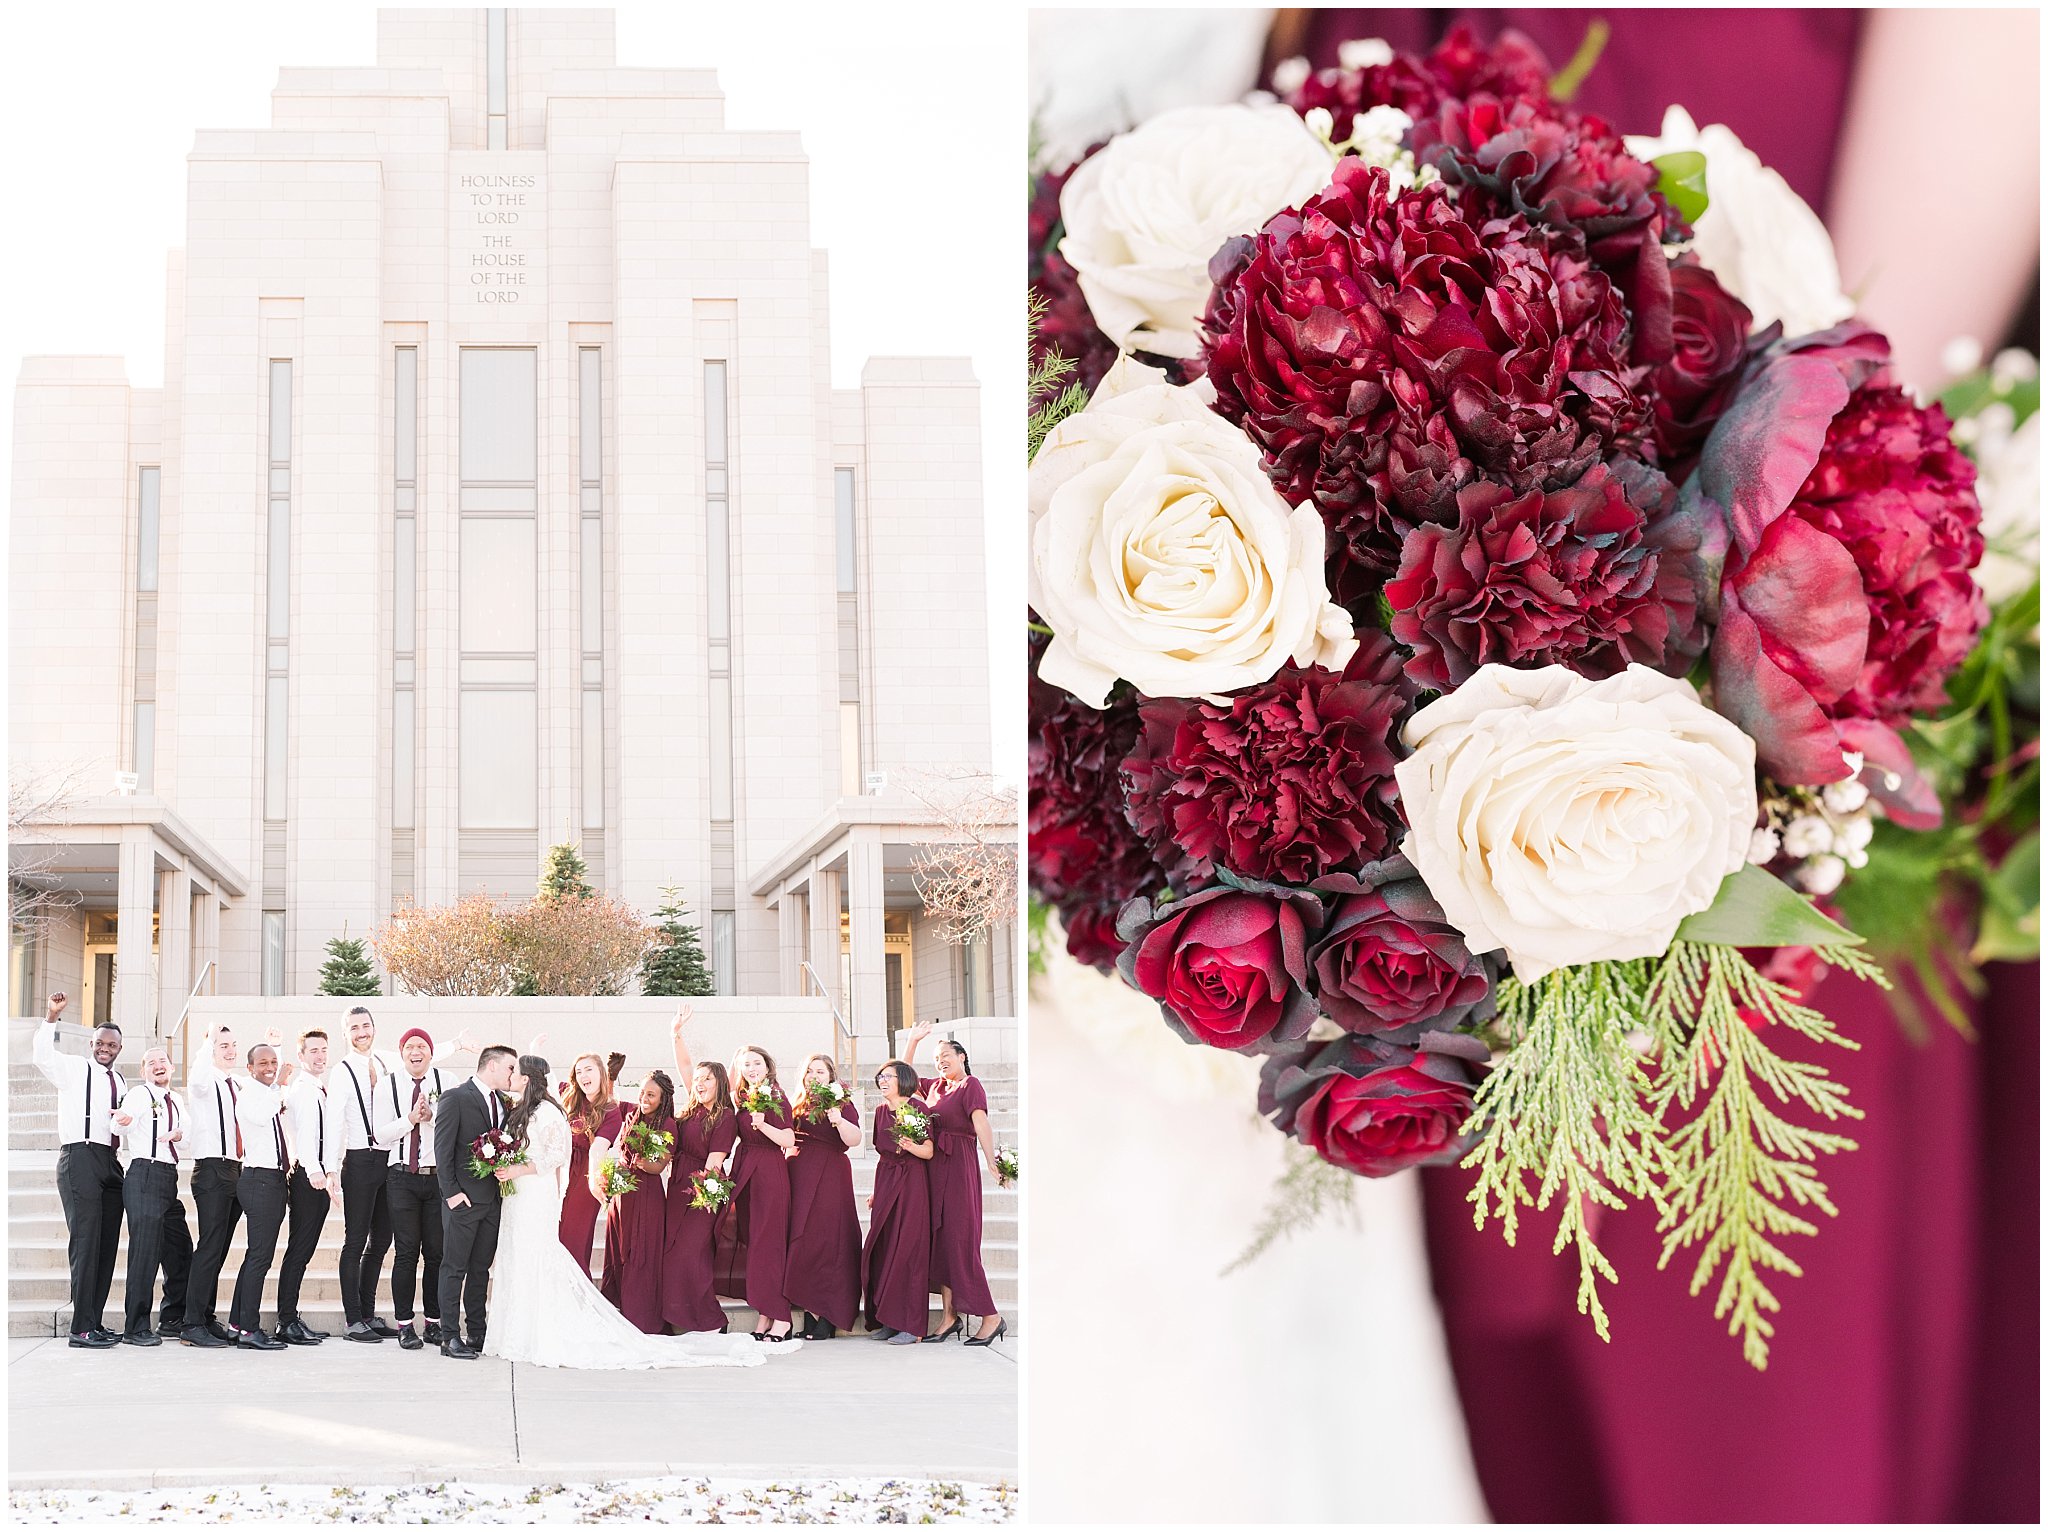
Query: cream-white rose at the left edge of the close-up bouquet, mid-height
(1164,556)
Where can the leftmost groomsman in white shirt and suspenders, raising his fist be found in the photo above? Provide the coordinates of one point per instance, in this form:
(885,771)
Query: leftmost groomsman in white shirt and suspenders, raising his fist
(89,1177)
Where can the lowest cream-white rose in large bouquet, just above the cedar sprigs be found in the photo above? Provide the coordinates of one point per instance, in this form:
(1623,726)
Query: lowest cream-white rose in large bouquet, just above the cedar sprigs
(1574,820)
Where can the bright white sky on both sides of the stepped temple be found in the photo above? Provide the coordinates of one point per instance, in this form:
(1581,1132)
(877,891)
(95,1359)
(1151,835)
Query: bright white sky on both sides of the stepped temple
(914,134)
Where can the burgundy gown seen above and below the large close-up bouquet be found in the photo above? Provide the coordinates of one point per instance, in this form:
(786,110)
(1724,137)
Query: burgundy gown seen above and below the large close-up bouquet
(1906,1371)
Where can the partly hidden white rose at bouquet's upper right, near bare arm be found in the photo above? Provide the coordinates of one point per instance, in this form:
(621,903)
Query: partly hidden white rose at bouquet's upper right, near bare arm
(1758,239)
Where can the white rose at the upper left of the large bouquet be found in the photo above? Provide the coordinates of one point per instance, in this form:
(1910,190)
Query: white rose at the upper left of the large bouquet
(1150,210)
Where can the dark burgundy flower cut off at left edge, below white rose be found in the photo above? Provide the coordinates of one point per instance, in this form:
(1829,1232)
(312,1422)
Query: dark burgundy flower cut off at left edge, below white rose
(1084,855)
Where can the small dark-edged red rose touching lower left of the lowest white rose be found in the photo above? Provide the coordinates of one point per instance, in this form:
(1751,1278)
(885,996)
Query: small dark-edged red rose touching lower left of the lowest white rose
(1390,957)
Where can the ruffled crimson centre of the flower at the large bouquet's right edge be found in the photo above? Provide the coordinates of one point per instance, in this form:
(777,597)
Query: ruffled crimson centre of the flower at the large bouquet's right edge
(1893,488)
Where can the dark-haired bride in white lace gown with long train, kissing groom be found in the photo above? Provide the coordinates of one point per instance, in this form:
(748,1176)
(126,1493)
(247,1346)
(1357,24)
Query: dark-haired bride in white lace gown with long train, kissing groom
(544,1310)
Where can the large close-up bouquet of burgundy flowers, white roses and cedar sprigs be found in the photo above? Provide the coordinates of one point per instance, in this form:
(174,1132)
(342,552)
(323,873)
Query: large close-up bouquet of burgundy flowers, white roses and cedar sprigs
(1480,613)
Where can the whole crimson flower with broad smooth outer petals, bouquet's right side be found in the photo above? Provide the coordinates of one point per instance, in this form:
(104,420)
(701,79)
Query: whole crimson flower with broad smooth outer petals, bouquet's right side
(1846,595)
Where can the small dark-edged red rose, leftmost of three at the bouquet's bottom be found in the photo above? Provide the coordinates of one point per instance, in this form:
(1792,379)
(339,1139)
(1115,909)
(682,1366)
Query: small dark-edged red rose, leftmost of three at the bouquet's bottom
(1226,966)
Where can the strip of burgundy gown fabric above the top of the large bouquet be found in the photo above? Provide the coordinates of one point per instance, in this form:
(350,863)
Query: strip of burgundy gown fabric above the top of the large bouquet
(1781,79)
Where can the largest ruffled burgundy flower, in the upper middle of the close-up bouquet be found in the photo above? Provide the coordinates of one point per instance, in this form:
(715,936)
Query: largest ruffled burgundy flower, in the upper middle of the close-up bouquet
(1385,351)
